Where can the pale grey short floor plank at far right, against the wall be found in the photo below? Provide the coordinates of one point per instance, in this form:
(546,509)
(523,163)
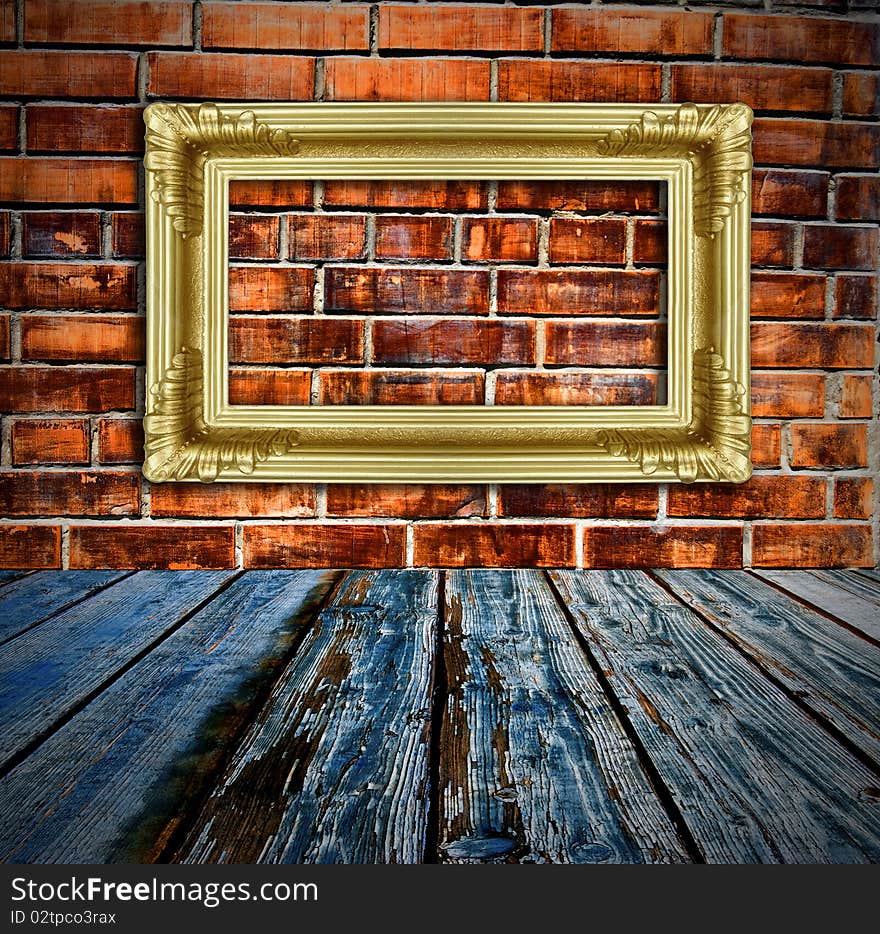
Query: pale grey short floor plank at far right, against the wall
(835,593)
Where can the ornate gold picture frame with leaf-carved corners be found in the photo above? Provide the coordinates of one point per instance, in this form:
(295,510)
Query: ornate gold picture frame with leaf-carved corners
(702,432)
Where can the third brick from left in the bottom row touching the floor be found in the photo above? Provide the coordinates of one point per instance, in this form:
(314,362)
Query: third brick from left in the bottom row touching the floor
(333,545)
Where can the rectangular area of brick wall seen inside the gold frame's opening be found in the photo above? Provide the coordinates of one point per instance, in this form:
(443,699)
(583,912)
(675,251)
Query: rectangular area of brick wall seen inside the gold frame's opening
(459,292)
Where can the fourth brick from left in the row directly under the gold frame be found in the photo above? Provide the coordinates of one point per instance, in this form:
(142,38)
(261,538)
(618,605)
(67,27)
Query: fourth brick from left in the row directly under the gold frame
(579,500)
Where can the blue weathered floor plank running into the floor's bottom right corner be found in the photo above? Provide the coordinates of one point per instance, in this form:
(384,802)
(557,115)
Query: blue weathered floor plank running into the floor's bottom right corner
(756,778)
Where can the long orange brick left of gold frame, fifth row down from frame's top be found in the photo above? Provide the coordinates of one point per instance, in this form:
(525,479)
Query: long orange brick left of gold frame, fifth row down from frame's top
(81,338)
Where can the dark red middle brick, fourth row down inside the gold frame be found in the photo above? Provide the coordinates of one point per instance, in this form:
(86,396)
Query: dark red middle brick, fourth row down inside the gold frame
(444,341)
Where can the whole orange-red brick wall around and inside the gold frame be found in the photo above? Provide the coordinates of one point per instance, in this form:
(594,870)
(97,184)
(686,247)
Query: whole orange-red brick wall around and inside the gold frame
(491,273)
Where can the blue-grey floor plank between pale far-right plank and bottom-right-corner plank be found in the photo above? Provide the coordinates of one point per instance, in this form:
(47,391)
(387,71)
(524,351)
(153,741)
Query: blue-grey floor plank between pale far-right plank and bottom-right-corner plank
(833,671)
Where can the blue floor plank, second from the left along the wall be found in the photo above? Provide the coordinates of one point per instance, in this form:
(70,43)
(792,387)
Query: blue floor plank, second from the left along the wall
(47,671)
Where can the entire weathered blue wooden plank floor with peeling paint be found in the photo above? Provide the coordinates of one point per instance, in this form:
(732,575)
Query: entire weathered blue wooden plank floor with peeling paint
(423,716)
